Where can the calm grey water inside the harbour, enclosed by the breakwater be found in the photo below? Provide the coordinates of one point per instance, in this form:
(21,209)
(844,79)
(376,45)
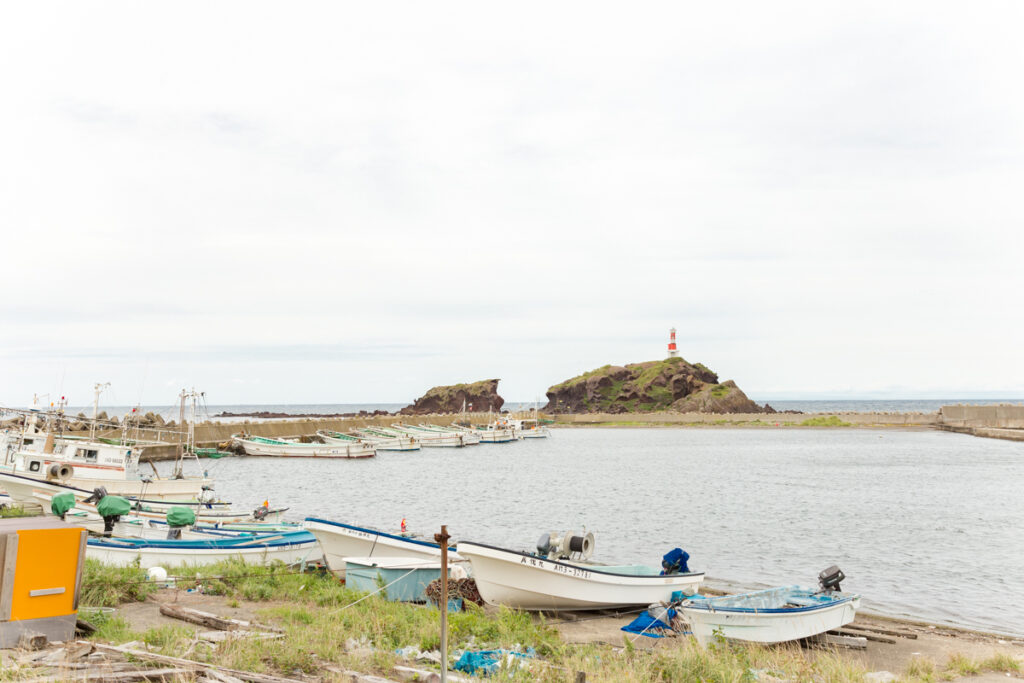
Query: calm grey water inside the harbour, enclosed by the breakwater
(925,524)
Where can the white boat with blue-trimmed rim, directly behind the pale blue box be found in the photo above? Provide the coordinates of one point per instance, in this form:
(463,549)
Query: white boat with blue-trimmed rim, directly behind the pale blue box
(343,541)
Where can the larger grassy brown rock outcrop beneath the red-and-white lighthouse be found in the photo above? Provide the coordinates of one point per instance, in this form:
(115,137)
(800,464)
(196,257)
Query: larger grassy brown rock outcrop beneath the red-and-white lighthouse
(672,385)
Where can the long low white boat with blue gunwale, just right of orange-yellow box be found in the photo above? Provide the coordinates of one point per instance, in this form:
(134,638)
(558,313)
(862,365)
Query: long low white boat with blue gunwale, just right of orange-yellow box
(289,548)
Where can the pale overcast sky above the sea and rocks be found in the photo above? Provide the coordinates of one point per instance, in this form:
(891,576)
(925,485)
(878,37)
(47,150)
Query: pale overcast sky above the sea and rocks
(355,202)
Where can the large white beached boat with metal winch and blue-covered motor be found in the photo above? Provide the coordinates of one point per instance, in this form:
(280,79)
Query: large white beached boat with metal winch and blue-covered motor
(533,582)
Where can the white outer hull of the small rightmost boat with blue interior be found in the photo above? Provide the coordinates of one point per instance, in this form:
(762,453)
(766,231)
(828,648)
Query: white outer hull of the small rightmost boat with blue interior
(766,626)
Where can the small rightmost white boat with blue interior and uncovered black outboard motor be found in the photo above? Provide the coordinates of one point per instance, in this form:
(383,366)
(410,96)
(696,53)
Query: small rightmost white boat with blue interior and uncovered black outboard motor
(775,616)
